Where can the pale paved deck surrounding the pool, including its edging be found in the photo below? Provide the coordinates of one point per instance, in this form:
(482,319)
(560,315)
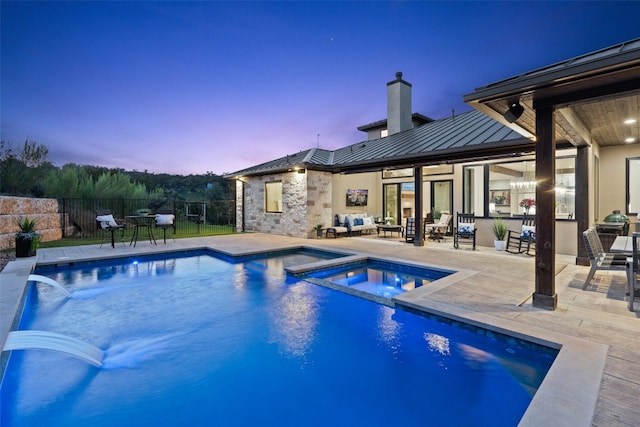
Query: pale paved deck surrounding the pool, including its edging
(596,377)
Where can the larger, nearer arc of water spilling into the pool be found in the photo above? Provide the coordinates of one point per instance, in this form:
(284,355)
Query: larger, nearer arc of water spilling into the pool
(23,340)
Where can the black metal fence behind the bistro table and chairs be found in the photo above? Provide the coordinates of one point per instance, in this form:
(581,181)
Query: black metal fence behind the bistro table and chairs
(192,218)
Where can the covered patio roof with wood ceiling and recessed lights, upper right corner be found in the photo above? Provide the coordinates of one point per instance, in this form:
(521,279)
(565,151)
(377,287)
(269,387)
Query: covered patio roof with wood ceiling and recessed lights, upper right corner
(593,94)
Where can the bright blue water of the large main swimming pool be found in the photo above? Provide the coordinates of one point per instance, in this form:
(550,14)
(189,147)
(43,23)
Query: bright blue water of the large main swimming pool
(197,340)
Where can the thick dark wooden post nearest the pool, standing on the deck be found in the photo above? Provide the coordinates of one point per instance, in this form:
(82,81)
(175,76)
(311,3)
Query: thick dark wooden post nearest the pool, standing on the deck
(545,293)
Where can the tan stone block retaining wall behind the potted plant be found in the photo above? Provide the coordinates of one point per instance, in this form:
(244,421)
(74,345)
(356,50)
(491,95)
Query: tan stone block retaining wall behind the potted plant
(44,211)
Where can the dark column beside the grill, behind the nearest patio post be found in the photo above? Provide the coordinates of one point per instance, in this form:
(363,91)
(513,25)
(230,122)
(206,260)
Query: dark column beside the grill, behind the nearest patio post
(582,201)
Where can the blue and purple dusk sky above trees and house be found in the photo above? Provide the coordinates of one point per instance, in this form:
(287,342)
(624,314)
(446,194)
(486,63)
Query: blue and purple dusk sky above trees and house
(196,87)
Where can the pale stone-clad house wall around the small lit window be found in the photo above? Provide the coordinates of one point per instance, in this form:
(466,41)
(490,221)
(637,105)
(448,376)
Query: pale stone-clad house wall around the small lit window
(306,201)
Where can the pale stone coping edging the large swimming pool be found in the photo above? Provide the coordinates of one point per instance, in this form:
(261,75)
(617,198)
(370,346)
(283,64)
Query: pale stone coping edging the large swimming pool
(566,393)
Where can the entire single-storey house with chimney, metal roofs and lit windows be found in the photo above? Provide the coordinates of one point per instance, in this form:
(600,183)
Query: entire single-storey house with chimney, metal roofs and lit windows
(486,161)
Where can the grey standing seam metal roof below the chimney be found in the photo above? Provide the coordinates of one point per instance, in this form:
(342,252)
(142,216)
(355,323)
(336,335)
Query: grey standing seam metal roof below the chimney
(453,139)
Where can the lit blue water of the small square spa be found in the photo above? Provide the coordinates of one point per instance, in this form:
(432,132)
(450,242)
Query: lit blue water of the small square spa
(379,278)
